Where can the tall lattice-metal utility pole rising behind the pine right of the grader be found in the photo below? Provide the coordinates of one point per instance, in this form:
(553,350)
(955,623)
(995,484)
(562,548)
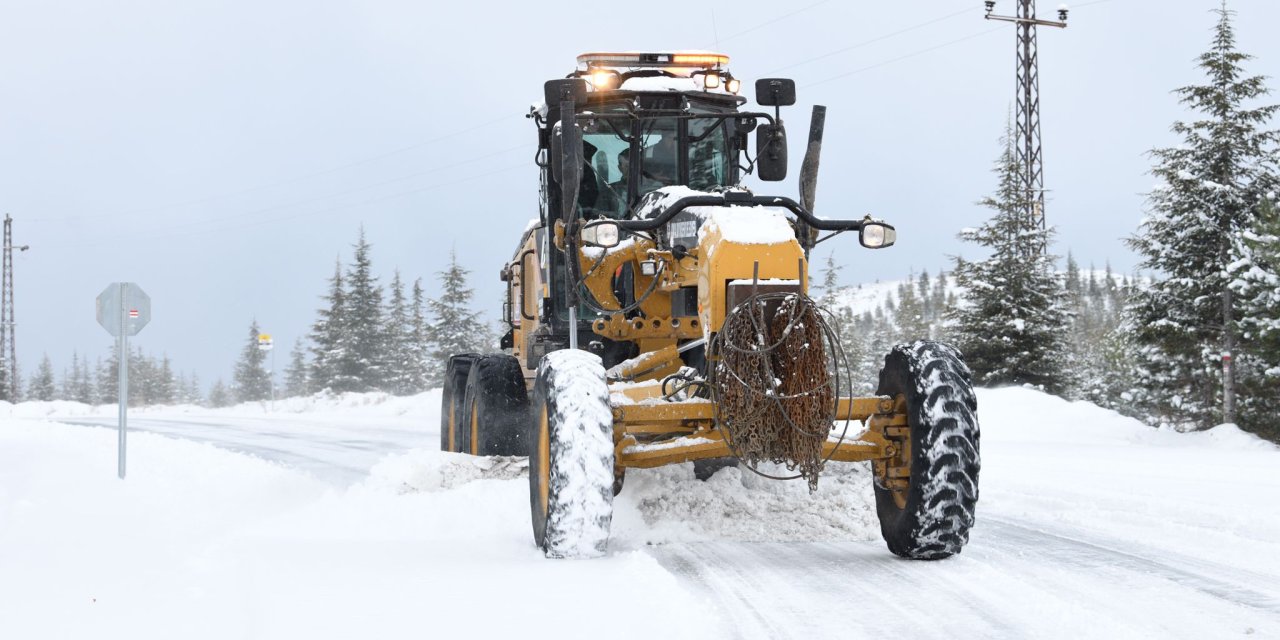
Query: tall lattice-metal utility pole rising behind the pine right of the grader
(1027,143)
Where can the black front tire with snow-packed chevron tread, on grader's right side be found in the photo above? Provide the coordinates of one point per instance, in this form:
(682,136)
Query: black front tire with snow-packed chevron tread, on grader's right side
(941,408)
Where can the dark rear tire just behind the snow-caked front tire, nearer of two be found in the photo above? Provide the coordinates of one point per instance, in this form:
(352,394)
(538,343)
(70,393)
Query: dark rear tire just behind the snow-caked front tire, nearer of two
(497,408)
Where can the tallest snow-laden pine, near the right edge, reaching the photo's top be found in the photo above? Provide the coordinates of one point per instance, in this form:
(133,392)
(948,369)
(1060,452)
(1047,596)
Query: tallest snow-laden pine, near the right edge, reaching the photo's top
(1210,191)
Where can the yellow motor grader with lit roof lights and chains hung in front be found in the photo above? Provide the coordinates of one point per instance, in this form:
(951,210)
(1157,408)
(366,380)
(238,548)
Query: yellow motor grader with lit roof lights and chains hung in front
(659,314)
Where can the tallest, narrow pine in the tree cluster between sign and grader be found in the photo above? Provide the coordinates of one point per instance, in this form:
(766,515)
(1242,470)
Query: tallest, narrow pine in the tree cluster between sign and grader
(362,367)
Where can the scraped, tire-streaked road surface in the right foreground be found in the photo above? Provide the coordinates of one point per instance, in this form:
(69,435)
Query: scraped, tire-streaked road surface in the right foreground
(1013,582)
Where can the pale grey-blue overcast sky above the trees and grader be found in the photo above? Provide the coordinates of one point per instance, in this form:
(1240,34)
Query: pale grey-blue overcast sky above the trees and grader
(225,154)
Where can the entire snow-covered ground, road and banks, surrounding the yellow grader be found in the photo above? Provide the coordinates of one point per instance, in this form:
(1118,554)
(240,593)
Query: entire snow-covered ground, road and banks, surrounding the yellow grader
(1090,525)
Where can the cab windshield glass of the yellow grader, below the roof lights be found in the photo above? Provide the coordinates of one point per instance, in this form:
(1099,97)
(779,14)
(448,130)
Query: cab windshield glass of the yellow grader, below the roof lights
(627,158)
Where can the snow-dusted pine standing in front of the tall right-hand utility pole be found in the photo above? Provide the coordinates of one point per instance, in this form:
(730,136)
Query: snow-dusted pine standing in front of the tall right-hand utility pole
(1012,323)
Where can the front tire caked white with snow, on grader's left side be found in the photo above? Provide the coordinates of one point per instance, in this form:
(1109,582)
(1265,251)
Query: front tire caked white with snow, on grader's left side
(572,456)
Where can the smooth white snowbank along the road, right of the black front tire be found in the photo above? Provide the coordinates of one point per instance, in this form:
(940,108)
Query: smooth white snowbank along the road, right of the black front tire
(1076,468)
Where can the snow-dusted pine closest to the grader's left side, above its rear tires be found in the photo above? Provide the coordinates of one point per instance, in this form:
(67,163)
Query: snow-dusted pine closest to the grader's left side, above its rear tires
(455,327)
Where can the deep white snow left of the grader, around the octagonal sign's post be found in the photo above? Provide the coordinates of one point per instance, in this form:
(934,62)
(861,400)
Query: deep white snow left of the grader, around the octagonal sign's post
(204,543)
